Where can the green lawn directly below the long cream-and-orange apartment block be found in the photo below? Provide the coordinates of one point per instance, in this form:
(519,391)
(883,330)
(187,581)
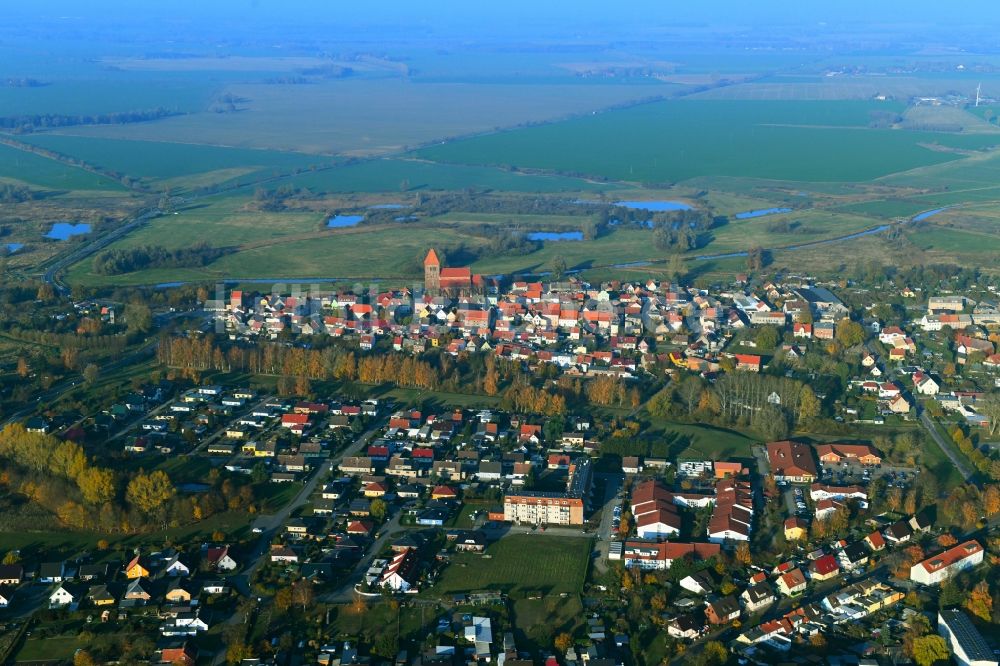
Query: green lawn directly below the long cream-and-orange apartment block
(520,565)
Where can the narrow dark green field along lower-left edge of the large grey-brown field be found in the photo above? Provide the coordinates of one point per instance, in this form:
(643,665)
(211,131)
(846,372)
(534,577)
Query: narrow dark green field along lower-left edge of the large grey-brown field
(176,164)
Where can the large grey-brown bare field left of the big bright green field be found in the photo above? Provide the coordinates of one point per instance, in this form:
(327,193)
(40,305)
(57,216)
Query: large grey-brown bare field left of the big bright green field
(368,116)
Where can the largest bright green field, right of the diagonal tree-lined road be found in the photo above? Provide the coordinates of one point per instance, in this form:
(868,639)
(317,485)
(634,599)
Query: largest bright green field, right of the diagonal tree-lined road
(682,139)
